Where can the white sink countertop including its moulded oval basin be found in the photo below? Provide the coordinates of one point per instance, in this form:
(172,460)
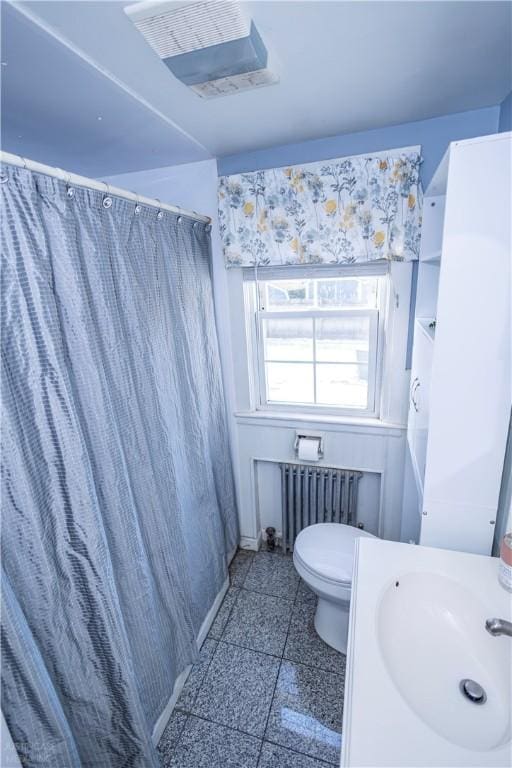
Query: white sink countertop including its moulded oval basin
(380,727)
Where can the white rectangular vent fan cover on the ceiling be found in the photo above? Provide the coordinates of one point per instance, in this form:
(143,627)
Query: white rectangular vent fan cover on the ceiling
(211,47)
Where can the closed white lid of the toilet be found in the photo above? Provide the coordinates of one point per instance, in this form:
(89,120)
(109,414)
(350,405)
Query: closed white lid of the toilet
(328,549)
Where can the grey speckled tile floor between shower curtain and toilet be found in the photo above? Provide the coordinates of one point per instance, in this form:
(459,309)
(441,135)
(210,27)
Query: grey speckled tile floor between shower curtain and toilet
(267,692)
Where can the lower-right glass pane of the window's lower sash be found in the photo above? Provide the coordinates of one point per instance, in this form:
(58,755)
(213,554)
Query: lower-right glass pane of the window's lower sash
(343,385)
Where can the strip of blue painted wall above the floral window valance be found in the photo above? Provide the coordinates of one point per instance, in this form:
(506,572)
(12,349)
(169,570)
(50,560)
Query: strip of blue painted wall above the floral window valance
(434,135)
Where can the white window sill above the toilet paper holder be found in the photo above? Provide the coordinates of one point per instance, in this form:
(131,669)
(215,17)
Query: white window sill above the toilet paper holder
(264,417)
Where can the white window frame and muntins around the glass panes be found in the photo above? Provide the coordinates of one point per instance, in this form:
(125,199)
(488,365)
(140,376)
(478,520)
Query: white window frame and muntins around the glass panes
(256,316)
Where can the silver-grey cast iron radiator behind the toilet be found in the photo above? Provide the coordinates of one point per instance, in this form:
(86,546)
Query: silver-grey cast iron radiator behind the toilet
(312,494)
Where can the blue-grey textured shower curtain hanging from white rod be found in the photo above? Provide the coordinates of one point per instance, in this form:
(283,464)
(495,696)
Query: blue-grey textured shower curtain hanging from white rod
(118,510)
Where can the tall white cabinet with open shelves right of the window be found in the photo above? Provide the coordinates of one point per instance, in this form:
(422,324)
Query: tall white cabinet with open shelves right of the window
(460,408)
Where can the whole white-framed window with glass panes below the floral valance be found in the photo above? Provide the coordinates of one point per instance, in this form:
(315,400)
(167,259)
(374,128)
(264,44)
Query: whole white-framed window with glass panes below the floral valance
(317,343)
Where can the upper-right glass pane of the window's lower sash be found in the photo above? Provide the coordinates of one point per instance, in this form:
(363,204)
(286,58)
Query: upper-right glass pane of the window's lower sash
(343,339)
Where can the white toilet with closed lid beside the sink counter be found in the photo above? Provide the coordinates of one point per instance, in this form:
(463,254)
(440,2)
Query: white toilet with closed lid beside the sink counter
(323,556)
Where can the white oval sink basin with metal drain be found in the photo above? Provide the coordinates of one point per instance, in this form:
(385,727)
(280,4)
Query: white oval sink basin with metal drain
(431,635)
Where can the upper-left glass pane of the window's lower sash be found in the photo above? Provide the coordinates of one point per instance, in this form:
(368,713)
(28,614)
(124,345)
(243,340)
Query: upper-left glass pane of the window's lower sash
(288,339)
